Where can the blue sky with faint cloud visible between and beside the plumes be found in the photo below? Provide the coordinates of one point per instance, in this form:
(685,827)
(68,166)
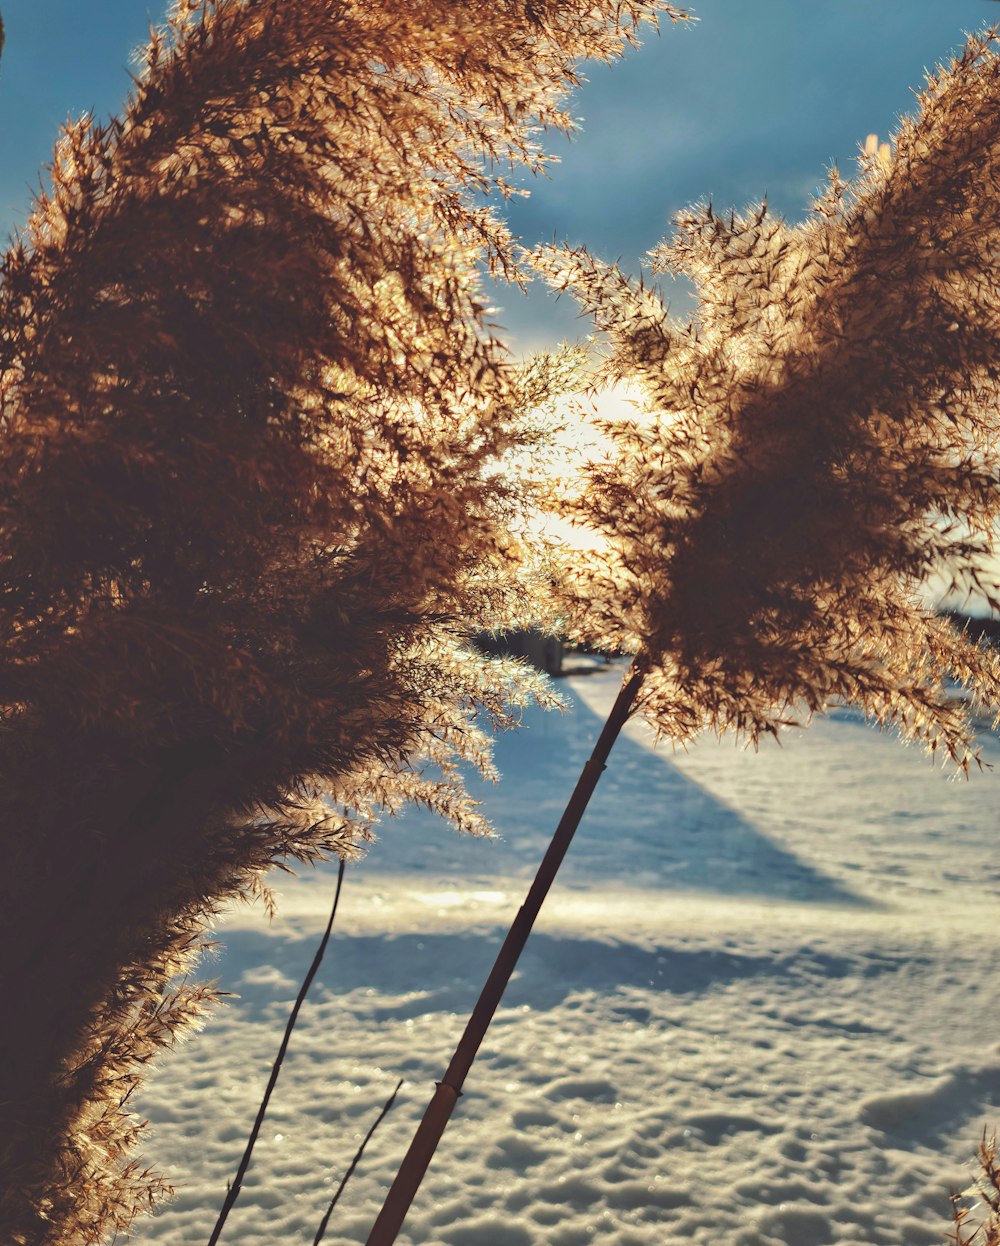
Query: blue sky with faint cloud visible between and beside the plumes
(759,97)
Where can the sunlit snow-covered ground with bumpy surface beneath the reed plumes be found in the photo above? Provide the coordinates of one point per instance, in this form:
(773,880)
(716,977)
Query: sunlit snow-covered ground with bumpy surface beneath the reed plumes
(760,1007)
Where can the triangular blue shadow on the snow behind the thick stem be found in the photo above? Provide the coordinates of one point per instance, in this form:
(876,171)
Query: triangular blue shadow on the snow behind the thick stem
(648,825)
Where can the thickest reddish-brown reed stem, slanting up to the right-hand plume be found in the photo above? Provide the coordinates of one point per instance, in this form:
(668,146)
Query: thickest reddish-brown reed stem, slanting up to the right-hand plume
(446,1096)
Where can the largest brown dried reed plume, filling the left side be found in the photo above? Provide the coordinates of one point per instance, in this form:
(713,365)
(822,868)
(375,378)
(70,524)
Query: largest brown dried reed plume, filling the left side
(252,503)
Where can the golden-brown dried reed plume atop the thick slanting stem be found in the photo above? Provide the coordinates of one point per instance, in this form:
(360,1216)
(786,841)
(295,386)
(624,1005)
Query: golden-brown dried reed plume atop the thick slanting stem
(819,442)
